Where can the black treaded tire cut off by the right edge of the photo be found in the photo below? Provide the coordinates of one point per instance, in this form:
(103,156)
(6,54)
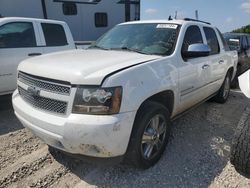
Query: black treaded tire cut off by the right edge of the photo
(240,150)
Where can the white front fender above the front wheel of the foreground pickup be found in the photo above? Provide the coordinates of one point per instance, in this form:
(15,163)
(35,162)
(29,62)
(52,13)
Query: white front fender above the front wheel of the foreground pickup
(143,81)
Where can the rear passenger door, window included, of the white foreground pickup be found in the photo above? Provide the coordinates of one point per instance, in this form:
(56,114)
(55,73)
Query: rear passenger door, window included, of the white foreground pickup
(217,60)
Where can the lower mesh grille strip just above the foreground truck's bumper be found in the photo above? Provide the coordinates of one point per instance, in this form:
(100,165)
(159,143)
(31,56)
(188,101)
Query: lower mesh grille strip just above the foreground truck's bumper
(43,103)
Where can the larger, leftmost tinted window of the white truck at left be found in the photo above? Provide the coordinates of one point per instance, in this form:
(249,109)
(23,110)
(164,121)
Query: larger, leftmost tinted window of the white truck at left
(17,35)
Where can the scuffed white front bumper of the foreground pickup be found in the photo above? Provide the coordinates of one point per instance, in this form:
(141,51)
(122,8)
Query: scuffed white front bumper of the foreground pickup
(91,135)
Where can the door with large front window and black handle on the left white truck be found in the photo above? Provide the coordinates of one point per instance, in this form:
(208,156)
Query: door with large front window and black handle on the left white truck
(18,41)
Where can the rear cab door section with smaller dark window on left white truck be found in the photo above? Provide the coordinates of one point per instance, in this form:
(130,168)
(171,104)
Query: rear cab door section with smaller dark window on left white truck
(54,37)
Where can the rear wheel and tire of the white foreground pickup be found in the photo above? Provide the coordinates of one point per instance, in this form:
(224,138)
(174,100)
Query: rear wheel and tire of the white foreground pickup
(224,91)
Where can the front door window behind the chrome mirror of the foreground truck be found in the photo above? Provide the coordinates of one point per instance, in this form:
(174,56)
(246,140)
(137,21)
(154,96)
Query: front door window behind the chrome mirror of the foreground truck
(192,36)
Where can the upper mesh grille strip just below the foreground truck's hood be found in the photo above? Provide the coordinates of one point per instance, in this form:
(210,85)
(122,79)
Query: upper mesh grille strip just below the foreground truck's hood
(50,86)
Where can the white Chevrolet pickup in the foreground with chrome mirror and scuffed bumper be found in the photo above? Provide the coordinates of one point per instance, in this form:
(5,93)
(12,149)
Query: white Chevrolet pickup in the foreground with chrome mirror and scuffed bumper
(116,99)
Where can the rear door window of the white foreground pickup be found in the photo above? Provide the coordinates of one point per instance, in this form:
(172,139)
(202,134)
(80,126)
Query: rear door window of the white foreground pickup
(212,40)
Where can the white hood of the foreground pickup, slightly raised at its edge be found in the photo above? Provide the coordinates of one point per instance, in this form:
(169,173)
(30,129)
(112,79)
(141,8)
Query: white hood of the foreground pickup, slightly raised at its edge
(82,67)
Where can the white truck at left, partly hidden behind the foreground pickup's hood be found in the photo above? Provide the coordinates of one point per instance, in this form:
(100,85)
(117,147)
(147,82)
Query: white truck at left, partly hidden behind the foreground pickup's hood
(21,38)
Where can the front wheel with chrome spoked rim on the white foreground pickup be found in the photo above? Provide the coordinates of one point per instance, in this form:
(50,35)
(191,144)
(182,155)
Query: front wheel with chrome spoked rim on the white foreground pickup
(149,136)
